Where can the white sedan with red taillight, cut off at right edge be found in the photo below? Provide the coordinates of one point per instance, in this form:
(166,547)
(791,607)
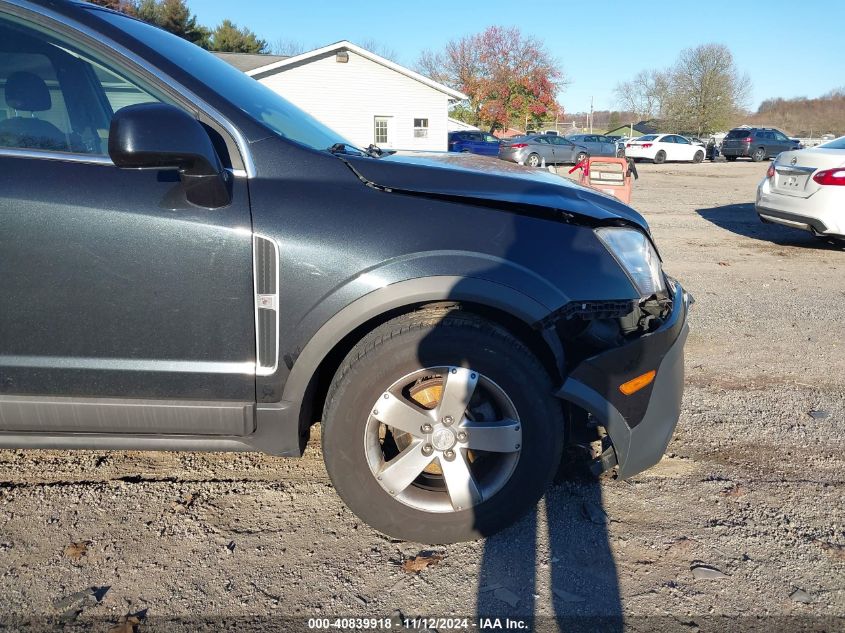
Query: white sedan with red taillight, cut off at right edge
(805,189)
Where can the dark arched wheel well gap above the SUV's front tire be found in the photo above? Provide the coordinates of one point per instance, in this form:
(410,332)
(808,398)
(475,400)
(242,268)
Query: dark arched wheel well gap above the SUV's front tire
(315,394)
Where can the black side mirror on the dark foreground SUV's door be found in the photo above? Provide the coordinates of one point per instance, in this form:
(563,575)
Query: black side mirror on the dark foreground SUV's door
(161,136)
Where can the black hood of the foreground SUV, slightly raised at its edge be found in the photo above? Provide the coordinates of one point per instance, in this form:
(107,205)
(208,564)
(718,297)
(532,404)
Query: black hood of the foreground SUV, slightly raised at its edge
(482,178)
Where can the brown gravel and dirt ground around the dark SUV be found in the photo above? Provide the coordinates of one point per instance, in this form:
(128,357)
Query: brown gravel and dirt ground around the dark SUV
(741,527)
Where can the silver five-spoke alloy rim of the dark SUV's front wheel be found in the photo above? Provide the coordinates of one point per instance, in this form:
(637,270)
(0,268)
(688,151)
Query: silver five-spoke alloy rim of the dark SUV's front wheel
(443,439)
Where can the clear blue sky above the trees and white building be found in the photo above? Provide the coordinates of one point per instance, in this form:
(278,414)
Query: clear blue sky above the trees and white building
(771,40)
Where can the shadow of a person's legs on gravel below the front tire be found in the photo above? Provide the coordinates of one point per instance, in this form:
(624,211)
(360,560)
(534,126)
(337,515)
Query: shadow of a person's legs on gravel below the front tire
(578,569)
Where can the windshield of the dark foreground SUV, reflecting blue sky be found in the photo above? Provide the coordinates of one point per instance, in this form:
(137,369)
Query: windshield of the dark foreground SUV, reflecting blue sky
(265,106)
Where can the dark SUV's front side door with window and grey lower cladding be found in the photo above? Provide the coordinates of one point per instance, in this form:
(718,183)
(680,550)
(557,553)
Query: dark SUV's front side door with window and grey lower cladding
(114,288)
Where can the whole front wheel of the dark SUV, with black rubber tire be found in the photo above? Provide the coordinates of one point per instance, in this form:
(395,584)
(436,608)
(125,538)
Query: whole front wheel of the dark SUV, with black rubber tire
(455,343)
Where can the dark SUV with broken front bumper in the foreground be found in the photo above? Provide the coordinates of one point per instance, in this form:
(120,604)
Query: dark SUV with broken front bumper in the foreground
(189,262)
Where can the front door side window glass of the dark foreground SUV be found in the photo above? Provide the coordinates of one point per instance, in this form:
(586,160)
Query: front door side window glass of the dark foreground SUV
(54,97)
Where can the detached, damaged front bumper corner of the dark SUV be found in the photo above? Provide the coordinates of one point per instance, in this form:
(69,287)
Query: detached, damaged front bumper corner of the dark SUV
(640,425)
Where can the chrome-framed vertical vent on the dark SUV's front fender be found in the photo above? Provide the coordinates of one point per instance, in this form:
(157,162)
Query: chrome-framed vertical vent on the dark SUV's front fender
(265,267)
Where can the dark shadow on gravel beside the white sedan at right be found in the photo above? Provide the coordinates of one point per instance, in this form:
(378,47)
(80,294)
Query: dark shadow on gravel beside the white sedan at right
(742,219)
